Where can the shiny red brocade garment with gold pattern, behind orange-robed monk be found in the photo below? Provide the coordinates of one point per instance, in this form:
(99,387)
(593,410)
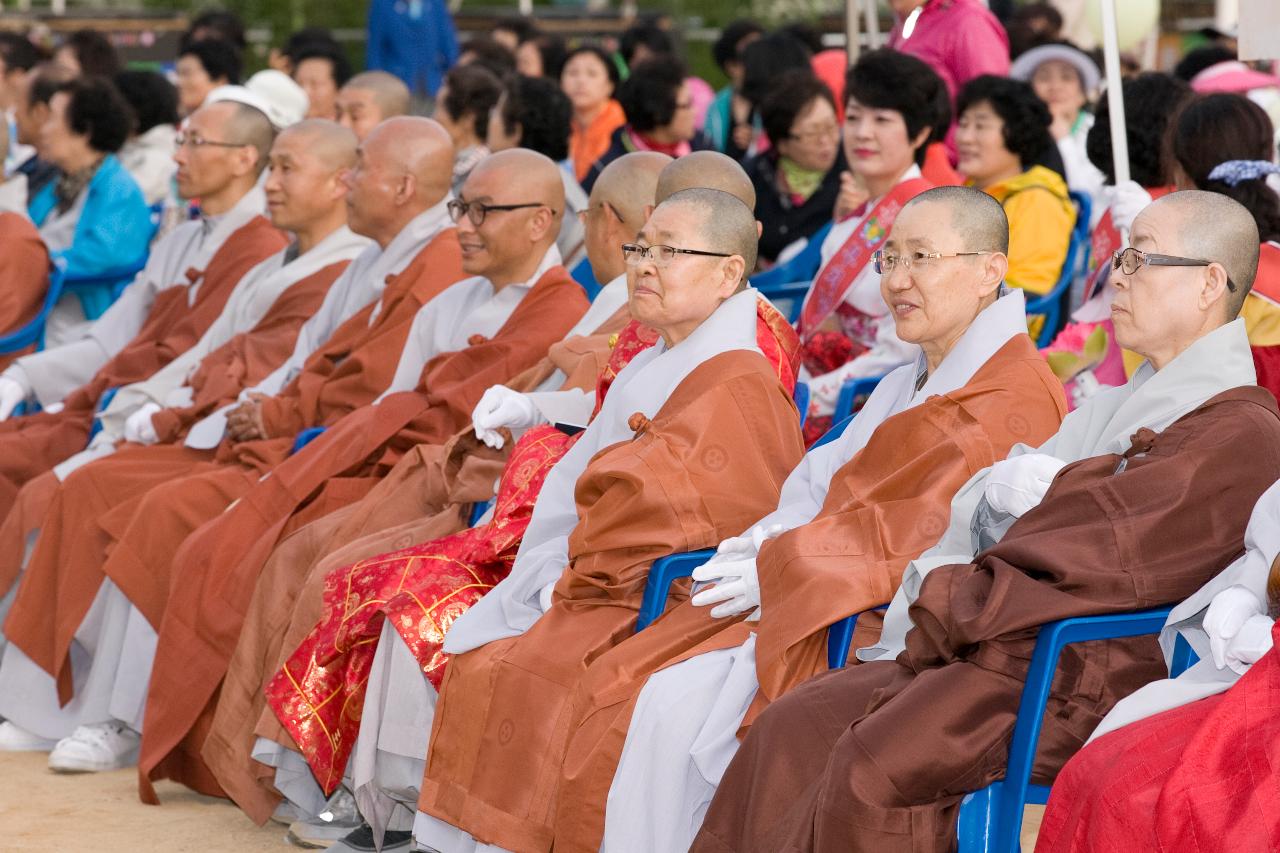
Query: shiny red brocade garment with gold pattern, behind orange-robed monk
(423,589)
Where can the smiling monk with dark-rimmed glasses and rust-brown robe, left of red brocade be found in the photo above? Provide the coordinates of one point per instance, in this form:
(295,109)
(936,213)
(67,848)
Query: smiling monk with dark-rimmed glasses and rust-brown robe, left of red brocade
(483,331)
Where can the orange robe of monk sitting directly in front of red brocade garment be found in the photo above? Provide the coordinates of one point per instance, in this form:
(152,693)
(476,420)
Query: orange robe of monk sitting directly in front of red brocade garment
(708,464)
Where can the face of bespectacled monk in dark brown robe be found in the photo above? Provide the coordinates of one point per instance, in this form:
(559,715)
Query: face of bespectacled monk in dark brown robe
(1158,308)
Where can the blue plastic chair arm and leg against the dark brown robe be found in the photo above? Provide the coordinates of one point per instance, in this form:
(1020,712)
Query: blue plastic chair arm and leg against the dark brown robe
(991,820)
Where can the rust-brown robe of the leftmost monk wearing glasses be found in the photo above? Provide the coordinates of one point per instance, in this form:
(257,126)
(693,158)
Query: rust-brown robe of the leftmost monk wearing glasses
(33,445)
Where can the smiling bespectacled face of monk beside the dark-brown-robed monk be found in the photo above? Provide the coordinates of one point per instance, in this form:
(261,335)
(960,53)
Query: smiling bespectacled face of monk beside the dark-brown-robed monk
(939,293)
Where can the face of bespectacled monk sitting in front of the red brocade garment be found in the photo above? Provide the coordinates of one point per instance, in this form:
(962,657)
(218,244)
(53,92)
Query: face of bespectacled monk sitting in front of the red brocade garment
(676,295)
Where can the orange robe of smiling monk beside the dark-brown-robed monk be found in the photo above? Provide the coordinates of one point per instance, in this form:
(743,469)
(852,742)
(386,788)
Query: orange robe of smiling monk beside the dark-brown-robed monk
(886,507)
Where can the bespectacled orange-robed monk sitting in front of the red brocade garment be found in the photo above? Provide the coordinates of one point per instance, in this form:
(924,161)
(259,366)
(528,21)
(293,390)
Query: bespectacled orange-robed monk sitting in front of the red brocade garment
(715,437)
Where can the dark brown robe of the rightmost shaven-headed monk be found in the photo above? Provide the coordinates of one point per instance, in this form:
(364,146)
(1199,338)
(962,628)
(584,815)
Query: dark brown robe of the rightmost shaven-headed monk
(877,758)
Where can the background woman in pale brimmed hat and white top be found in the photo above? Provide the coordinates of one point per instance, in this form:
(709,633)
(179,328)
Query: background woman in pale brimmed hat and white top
(1066,79)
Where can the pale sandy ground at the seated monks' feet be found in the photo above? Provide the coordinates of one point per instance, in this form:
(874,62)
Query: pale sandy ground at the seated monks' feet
(49,813)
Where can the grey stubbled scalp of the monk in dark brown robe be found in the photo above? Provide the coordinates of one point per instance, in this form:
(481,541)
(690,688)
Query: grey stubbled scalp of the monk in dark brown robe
(1218,229)
